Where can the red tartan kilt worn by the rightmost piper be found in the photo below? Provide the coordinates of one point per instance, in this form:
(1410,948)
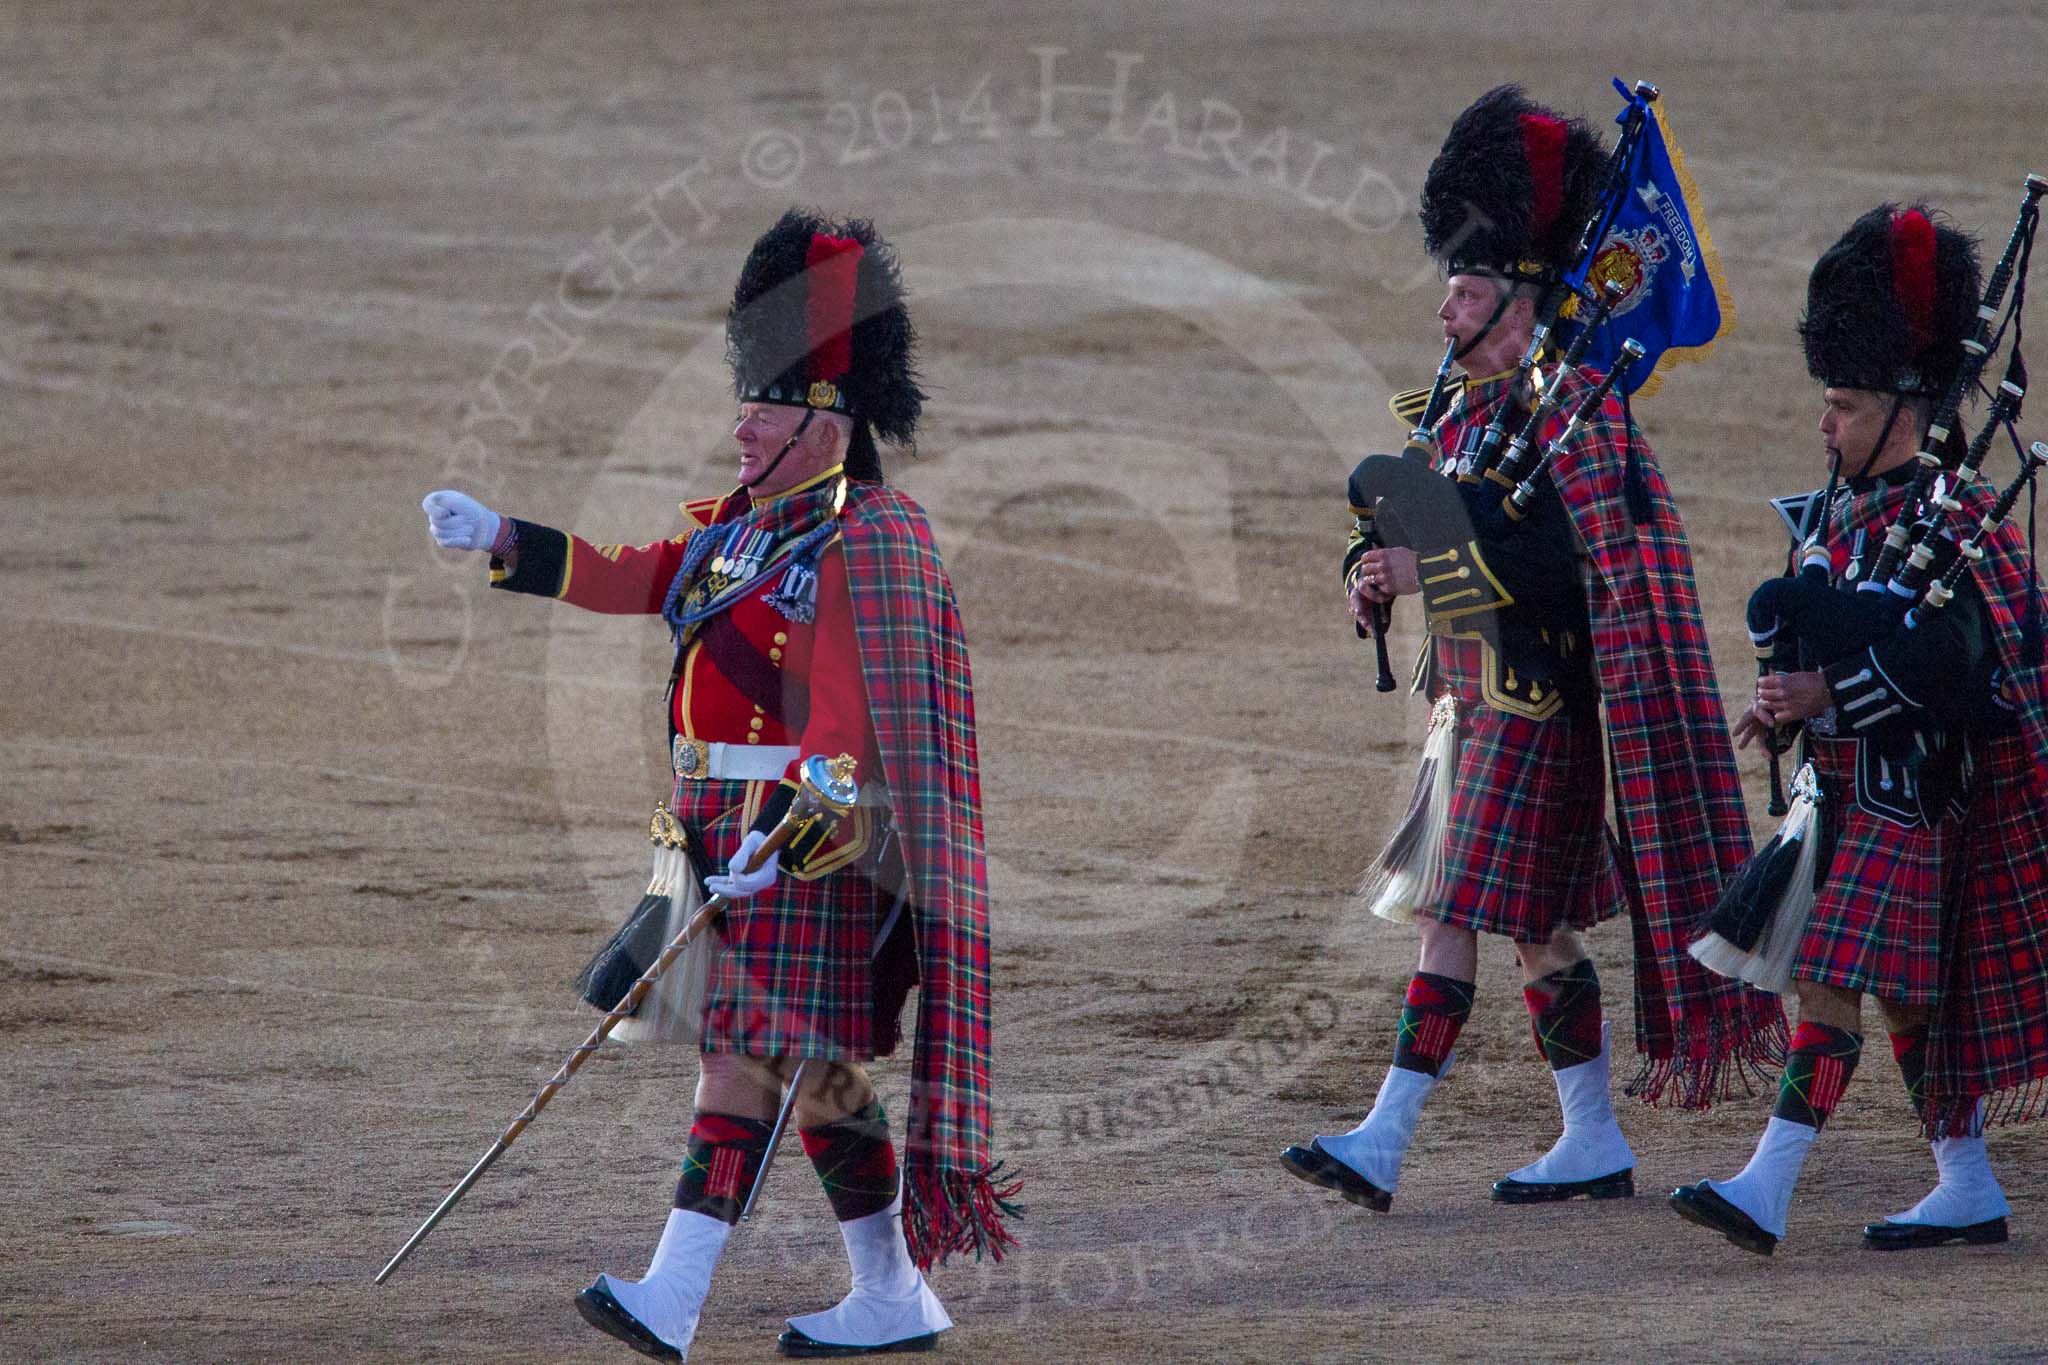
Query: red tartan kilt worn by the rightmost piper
(1877,916)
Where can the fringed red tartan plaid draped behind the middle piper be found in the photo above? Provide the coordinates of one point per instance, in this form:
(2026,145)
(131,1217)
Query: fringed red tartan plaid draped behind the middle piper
(1678,799)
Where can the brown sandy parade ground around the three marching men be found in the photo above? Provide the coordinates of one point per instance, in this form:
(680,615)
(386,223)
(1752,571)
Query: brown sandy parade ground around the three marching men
(304,832)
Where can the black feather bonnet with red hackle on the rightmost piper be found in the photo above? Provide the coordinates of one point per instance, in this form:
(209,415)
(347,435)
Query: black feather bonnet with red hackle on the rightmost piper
(1891,302)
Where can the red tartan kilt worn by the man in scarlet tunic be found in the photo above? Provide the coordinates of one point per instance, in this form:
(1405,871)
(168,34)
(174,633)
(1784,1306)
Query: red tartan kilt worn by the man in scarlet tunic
(794,977)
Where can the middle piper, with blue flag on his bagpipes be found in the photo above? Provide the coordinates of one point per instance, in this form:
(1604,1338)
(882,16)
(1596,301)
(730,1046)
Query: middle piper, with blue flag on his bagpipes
(1555,584)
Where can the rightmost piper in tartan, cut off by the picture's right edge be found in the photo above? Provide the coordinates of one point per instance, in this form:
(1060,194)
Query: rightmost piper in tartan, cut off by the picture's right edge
(1910,654)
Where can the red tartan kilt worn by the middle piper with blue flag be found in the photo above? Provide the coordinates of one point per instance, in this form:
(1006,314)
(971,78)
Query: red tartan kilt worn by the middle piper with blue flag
(1527,842)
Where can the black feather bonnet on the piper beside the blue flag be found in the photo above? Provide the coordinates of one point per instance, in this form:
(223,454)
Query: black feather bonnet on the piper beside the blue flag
(1512,189)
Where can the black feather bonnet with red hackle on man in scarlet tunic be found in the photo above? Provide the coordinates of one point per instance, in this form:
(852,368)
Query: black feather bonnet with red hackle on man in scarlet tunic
(818,322)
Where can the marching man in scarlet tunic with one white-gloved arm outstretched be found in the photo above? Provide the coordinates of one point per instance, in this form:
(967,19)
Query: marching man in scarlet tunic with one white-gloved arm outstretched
(812,617)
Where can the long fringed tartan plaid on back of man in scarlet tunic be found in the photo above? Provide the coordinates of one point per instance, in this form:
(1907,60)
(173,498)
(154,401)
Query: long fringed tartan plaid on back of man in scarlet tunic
(923,703)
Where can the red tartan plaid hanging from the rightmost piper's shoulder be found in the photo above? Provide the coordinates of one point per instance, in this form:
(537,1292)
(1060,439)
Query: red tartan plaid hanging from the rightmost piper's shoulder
(1990,1028)
